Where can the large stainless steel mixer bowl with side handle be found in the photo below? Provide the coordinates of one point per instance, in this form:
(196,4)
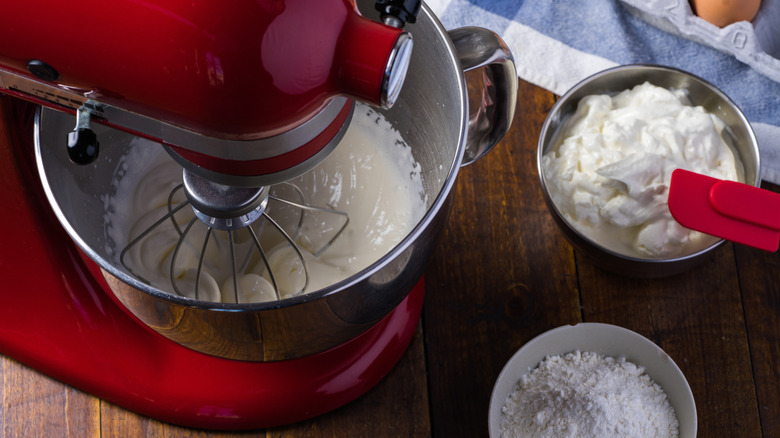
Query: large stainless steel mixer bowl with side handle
(432,114)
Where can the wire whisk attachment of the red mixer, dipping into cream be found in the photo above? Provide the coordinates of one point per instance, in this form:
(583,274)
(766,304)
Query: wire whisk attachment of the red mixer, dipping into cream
(233,244)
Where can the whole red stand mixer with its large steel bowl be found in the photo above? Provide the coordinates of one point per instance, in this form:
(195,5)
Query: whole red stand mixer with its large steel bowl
(243,98)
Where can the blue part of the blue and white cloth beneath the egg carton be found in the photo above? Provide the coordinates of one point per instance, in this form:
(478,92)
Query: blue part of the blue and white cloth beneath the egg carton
(609,29)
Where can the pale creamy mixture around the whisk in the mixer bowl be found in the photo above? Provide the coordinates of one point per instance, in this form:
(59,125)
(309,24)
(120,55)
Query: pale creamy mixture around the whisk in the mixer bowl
(371,175)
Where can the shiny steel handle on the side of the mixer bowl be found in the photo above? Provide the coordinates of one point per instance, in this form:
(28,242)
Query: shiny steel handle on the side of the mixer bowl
(478,47)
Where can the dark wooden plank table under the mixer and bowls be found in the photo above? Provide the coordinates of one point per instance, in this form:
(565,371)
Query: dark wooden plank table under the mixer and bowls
(502,275)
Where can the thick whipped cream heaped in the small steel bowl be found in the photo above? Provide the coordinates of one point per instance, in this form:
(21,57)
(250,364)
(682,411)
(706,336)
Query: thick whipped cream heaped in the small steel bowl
(610,171)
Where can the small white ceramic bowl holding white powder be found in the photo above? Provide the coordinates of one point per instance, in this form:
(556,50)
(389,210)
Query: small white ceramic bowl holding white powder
(604,339)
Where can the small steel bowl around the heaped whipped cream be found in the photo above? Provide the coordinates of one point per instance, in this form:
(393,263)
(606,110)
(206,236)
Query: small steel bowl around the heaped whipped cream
(613,81)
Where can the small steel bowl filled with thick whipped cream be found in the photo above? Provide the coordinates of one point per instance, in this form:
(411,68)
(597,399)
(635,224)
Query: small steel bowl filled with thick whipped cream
(606,154)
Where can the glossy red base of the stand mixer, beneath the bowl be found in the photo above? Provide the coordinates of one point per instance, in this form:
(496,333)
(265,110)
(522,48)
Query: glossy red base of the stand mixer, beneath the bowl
(59,320)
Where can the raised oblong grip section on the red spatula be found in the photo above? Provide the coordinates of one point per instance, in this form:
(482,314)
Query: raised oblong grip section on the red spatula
(746,203)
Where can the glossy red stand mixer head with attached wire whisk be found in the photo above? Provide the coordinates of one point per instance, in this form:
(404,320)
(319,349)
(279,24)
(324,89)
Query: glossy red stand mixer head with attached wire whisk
(241,97)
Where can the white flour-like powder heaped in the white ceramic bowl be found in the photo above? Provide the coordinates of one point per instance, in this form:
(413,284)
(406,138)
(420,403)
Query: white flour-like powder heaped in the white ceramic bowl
(584,394)
